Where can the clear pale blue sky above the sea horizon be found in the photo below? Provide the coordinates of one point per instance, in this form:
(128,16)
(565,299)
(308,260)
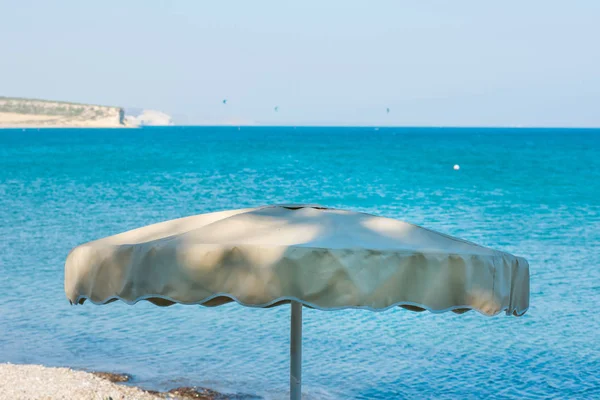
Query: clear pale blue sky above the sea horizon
(335,62)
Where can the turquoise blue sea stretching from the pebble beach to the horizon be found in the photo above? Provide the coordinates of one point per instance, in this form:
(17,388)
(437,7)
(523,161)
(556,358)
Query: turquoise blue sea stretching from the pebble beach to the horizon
(534,193)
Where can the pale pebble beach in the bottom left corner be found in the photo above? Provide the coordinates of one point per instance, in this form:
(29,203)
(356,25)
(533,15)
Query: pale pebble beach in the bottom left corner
(30,381)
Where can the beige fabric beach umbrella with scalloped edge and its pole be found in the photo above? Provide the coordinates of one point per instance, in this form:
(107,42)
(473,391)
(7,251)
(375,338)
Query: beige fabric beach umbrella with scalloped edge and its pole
(303,255)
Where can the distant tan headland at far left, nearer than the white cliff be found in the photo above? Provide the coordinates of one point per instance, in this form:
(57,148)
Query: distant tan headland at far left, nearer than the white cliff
(20,112)
